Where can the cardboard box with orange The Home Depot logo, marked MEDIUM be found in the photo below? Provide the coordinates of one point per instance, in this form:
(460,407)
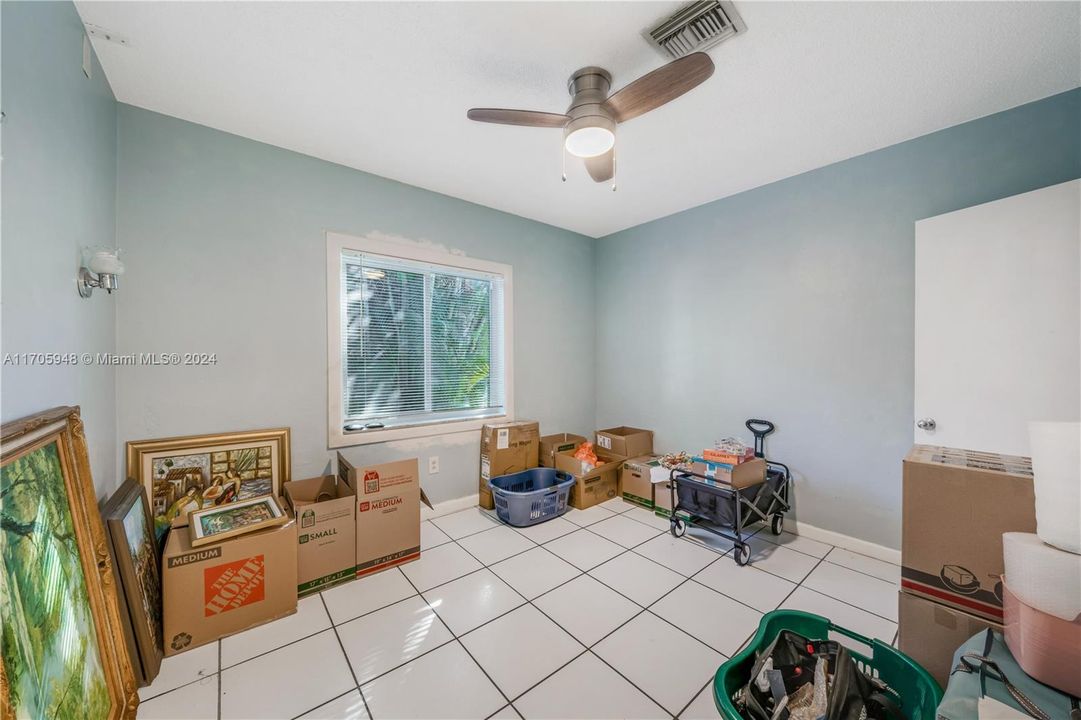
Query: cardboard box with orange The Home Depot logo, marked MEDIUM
(217,591)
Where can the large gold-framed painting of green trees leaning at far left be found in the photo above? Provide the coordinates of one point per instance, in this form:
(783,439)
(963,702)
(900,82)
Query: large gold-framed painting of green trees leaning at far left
(63,648)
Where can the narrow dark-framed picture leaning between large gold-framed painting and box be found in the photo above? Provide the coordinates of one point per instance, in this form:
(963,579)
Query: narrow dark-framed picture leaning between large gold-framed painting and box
(130,528)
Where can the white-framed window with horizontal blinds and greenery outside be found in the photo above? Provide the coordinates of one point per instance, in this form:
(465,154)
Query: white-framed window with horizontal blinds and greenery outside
(419,341)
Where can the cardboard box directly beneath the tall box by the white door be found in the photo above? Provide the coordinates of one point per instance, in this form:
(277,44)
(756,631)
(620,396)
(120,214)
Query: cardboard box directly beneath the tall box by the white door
(931,633)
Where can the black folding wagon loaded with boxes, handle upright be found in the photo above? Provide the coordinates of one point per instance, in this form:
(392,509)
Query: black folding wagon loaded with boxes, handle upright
(730,487)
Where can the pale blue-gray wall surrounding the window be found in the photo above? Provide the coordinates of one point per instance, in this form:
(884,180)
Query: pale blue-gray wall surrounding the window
(226,255)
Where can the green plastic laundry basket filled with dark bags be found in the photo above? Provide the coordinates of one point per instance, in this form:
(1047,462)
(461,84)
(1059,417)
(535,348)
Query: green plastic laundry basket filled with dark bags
(793,670)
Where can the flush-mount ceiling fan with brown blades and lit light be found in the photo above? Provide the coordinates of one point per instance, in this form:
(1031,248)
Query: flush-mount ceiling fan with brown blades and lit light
(590,123)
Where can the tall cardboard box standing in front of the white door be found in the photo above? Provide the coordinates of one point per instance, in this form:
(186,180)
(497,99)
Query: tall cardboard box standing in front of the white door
(956,506)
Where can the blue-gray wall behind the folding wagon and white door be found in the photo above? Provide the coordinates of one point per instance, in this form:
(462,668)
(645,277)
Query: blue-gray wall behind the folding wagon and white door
(795,302)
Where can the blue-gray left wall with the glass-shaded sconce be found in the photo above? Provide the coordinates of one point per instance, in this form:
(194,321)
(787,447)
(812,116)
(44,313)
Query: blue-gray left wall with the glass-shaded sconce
(60,191)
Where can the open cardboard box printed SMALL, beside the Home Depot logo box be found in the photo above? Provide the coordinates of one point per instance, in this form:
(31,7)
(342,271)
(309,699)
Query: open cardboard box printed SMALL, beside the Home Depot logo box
(326,513)
